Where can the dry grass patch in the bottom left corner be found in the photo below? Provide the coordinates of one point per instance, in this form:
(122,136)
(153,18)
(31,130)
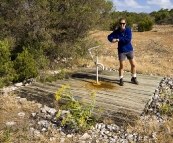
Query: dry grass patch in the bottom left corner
(19,132)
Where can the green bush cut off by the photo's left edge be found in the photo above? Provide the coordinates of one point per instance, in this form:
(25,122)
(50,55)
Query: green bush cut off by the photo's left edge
(6,66)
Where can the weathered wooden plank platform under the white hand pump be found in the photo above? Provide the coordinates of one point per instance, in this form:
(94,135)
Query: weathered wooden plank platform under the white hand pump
(119,103)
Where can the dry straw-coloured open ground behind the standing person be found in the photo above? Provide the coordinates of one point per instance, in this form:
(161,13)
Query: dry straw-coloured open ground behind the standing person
(153,50)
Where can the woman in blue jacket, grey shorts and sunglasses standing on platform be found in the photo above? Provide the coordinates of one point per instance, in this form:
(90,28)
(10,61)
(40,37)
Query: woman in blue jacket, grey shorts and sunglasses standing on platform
(123,36)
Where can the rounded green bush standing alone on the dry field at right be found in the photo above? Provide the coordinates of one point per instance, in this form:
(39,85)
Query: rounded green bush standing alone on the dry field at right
(145,25)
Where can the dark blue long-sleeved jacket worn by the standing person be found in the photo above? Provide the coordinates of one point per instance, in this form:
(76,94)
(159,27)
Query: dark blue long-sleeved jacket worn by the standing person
(125,36)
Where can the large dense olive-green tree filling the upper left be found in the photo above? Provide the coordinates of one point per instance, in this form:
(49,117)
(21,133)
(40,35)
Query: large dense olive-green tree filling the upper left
(52,26)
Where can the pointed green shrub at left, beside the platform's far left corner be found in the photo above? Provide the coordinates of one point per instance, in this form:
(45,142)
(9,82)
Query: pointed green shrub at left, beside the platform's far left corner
(25,66)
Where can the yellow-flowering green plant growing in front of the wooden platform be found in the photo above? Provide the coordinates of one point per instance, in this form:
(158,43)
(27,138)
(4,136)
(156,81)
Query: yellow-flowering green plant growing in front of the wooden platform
(80,115)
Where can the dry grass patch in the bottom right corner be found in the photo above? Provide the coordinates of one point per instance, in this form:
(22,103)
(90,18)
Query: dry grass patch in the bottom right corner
(162,132)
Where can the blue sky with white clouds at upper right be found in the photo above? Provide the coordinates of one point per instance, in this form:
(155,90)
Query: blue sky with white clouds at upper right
(139,6)
